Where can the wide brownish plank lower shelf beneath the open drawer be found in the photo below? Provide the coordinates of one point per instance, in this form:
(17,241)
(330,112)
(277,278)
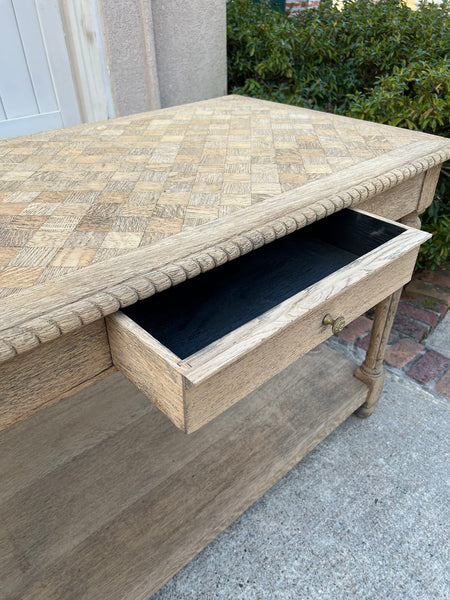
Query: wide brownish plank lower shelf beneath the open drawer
(102,497)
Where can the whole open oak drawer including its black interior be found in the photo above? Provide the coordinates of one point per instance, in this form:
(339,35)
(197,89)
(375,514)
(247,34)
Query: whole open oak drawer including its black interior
(199,347)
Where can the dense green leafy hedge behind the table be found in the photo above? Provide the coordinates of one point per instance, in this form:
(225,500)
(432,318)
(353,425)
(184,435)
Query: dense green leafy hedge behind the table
(377,61)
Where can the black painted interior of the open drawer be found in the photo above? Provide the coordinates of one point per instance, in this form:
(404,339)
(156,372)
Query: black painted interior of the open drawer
(197,312)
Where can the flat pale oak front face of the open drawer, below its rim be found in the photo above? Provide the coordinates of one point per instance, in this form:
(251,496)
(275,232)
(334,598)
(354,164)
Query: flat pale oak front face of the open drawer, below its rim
(238,378)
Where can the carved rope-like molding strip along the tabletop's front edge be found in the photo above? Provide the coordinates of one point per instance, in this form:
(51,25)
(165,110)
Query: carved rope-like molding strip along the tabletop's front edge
(53,324)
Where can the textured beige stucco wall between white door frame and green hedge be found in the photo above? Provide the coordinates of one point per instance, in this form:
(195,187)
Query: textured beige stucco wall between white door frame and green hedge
(164,52)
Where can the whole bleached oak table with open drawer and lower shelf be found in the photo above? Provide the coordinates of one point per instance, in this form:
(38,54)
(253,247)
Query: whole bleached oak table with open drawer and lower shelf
(205,251)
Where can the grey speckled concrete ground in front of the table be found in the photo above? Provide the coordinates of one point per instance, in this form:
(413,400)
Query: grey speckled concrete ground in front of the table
(365,515)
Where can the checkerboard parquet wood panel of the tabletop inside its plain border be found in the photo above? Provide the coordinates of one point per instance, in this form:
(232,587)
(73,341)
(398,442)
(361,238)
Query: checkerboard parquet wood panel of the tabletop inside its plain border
(74,197)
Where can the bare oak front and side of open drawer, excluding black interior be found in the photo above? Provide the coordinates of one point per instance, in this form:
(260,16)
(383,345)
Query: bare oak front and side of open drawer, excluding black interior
(193,390)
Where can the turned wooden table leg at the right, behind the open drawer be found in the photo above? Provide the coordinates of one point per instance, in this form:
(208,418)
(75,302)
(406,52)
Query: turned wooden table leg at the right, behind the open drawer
(372,371)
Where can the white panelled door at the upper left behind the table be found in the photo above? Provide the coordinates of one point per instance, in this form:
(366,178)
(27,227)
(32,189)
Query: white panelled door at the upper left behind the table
(36,84)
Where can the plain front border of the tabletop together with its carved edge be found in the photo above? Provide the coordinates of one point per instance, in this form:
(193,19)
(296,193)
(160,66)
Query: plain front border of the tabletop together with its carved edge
(47,311)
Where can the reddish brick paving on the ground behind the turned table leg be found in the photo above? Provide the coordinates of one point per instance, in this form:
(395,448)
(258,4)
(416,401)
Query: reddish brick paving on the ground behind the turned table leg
(424,303)
